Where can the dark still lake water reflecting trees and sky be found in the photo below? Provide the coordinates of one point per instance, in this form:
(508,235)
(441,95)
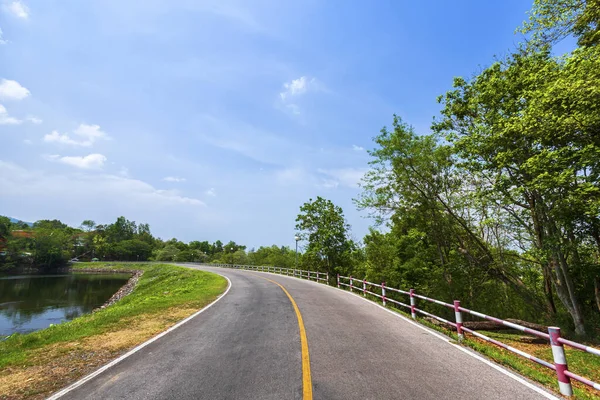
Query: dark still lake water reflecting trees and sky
(32,302)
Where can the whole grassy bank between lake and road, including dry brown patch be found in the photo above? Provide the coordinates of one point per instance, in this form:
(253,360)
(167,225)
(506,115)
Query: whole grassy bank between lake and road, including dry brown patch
(36,364)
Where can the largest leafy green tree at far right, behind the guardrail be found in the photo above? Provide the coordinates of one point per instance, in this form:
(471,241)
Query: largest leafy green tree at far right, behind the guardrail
(528,127)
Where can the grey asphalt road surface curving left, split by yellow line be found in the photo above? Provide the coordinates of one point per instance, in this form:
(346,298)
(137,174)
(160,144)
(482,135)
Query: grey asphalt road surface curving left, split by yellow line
(247,346)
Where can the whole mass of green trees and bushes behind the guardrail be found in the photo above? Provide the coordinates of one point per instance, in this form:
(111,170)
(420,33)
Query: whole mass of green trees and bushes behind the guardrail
(498,205)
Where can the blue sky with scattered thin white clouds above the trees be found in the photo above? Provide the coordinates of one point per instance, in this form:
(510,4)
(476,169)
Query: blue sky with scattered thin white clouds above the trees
(217,119)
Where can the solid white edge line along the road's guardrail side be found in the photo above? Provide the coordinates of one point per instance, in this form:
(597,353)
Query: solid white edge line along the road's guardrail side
(497,367)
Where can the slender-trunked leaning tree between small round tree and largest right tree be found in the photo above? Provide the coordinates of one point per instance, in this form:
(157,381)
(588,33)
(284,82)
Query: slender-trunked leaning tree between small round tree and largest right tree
(415,181)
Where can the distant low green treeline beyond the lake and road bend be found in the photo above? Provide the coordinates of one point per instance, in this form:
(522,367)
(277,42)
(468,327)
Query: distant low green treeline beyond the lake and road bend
(51,244)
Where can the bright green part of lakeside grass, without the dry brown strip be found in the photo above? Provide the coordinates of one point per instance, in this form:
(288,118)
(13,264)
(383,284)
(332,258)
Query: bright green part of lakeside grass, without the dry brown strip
(161,289)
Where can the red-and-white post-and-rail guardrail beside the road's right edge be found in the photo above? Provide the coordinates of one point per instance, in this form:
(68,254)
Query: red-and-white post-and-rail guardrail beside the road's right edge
(557,343)
